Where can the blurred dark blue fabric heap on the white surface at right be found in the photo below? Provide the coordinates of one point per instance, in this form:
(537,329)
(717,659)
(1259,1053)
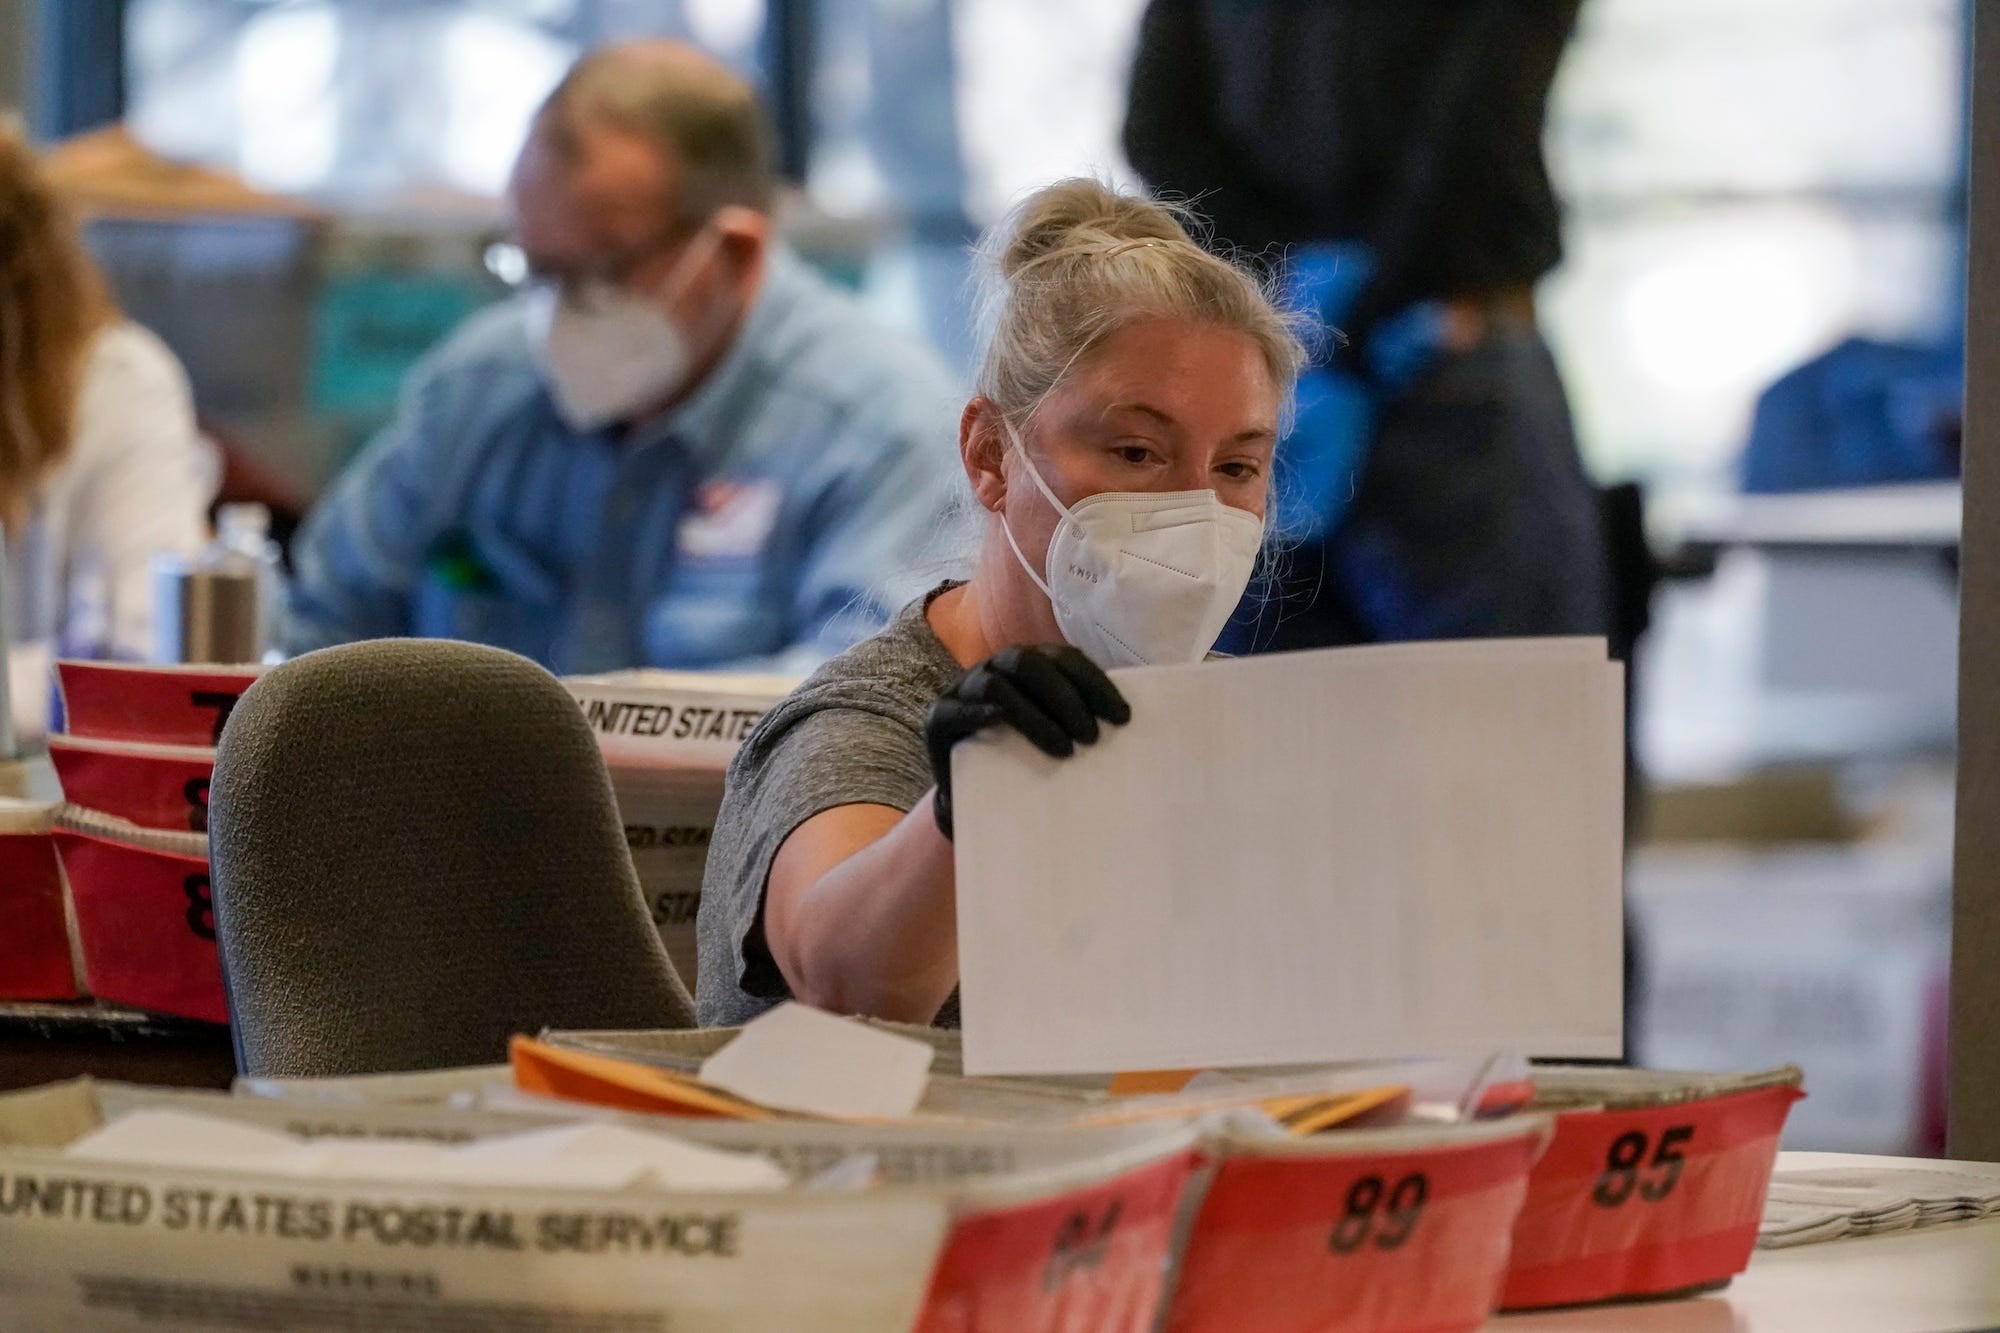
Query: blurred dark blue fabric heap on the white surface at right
(1865,413)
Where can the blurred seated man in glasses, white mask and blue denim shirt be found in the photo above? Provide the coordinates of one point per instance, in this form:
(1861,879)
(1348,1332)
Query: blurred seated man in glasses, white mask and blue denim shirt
(677,449)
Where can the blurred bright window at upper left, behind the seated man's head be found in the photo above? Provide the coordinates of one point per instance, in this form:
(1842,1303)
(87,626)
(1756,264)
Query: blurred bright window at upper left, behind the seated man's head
(381,103)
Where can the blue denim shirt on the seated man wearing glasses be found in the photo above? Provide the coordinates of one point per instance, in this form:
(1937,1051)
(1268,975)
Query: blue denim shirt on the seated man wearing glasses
(757,527)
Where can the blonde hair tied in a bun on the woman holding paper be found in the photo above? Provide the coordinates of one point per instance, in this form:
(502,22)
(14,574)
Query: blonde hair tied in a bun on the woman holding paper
(1079,261)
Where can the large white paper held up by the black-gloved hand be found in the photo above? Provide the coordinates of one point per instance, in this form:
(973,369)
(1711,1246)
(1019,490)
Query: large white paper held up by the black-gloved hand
(1361,854)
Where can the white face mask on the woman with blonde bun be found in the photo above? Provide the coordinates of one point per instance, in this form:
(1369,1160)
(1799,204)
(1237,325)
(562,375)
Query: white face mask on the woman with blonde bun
(1143,579)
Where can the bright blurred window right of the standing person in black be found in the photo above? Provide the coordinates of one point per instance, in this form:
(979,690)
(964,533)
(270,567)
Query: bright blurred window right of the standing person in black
(1745,187)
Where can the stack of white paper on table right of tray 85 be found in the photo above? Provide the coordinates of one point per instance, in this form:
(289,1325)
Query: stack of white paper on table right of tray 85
(1815,1200)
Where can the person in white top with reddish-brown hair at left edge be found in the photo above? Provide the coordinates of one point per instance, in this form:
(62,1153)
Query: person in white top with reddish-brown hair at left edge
(101,465)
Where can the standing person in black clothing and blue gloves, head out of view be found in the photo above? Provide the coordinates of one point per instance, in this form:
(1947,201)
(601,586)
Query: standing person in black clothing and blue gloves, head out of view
(1405,141)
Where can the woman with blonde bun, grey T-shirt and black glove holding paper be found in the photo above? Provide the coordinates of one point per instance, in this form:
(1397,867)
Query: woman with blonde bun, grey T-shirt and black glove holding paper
(1121,443)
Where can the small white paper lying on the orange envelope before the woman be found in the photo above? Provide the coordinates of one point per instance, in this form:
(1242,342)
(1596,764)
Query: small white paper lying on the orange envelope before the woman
(803,1060)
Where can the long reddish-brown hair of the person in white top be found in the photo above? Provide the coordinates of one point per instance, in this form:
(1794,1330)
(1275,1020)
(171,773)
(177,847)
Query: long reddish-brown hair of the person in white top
(53,303)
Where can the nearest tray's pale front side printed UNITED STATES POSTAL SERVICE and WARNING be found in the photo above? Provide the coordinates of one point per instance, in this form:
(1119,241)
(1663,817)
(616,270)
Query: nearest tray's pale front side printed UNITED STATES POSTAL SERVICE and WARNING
(91,1246)
